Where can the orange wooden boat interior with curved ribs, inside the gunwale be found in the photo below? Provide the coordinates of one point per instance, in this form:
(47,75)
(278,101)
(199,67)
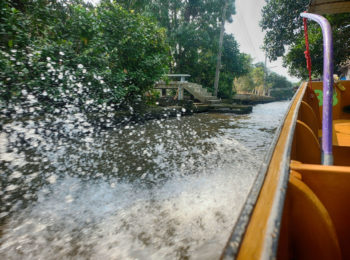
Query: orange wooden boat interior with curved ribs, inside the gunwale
(316,215)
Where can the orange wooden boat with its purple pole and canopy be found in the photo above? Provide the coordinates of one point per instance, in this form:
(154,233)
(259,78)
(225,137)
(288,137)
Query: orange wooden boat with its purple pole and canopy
(299,206)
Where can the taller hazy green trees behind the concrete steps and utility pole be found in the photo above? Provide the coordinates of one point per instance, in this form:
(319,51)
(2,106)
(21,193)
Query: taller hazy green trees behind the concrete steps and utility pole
(193,29)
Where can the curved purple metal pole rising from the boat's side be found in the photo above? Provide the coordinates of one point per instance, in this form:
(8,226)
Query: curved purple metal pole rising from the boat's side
(327,156)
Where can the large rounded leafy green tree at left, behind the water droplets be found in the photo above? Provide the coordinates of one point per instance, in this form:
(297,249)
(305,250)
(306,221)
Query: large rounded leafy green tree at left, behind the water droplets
(76,52)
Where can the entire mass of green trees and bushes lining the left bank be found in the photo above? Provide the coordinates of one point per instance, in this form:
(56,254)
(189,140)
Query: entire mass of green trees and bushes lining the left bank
(55,54)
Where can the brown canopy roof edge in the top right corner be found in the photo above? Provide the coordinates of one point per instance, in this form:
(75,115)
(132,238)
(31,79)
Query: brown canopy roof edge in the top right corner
(329,6)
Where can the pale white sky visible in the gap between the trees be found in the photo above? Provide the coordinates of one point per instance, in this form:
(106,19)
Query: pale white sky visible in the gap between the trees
(248,34)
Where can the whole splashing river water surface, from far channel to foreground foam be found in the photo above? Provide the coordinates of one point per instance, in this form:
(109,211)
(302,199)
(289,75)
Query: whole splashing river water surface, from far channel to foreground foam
(165,189)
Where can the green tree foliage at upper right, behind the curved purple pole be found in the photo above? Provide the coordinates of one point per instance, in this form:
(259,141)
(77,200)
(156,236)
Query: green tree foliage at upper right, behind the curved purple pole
(284,27)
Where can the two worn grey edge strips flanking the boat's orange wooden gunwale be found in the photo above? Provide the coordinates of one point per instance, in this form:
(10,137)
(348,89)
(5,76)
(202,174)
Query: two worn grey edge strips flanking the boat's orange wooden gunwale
(233,244)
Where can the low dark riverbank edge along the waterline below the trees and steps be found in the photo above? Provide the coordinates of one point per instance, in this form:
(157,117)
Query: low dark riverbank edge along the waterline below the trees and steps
(136,113)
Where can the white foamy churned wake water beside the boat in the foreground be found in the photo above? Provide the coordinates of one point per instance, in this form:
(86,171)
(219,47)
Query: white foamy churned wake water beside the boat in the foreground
(185,217)
